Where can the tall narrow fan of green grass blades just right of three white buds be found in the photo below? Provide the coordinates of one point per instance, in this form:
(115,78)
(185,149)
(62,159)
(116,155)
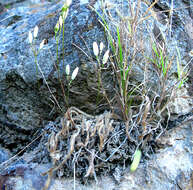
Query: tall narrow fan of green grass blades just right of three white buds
(124,33)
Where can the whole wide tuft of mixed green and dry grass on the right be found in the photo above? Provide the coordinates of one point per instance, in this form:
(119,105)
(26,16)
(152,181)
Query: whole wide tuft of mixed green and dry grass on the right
(142,103)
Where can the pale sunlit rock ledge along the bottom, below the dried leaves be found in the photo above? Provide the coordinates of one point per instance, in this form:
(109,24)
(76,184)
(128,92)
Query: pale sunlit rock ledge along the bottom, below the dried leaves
(170,168)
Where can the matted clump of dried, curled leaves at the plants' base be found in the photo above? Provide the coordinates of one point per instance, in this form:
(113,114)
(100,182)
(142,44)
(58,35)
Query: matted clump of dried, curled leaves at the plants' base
(84,145)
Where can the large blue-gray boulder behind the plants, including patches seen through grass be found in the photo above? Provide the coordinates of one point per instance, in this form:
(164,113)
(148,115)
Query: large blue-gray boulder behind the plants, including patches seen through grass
(24,97)
